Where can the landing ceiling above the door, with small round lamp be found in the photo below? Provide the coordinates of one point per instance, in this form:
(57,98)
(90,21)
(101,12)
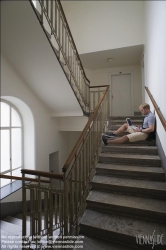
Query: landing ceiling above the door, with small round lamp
(121,57)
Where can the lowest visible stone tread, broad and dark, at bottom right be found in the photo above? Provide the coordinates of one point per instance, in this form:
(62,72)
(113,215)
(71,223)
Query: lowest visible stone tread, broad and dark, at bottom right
(122,224)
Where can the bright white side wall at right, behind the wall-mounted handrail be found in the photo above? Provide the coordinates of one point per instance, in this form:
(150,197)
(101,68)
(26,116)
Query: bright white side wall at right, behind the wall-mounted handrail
(155,54)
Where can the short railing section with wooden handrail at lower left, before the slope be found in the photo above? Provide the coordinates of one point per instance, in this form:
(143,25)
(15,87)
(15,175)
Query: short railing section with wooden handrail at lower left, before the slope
(45,209)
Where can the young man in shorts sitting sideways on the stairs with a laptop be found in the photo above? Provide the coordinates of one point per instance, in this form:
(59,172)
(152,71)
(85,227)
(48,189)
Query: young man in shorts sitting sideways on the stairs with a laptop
(138,134)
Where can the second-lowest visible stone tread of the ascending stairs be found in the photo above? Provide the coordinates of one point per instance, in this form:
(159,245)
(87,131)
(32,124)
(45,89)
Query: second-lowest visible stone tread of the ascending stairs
(128,201)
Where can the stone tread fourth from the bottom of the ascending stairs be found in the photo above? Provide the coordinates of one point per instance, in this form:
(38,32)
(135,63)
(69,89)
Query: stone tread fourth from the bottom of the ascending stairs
(130,168)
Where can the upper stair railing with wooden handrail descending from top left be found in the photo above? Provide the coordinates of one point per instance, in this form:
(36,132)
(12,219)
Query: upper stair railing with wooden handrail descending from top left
(66,50)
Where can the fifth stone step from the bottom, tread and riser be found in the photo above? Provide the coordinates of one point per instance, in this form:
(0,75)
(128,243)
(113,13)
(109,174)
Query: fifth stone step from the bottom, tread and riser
(132,159)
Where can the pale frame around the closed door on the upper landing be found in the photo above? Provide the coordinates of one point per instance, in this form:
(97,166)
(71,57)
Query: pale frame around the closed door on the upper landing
(131,88)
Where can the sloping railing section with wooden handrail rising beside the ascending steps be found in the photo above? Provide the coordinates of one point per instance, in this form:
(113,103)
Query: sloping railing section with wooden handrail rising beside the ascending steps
(78,169)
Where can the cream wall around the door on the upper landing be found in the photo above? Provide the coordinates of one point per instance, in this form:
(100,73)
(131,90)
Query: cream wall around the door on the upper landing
(101,77)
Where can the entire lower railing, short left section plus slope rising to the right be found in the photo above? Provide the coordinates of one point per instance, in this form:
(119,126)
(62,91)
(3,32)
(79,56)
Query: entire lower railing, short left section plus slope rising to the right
(63,206)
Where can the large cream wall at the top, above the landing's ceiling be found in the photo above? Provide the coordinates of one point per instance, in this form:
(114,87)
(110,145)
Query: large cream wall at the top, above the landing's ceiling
(102,25)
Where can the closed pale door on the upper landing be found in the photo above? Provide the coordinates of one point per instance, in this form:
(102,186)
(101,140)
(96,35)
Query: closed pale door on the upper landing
(121,104)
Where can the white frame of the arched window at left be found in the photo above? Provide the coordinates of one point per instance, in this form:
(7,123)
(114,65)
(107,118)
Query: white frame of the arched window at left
(9,171)
